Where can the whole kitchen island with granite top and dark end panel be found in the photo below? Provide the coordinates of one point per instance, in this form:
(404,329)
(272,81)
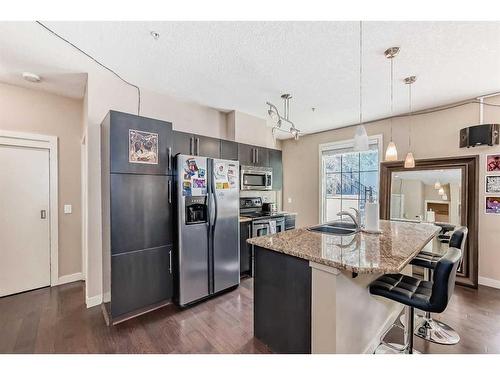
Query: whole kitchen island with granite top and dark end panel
(311,289)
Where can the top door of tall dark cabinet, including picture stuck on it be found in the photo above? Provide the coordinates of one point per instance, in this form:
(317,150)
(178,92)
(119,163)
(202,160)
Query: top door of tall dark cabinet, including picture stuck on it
(140,145)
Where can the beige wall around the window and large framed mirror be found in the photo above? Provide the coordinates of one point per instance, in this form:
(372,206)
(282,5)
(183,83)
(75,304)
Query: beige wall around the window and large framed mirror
(434,135)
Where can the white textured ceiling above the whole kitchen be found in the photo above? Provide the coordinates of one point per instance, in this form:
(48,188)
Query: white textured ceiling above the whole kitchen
(241,65)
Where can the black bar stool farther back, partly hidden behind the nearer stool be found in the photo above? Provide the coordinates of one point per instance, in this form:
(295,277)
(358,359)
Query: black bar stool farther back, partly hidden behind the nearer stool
(431,329)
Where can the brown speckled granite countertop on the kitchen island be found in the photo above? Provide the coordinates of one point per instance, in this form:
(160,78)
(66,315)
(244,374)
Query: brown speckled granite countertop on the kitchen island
(388,252)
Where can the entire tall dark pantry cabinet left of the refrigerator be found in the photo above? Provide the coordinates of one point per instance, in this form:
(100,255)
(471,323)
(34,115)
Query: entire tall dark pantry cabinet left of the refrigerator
(137,222)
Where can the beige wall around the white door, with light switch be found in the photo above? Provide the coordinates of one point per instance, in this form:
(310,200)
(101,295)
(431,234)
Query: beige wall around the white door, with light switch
(31,111)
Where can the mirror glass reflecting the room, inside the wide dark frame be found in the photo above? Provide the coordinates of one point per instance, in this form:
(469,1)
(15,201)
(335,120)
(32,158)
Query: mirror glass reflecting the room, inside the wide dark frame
(427,195)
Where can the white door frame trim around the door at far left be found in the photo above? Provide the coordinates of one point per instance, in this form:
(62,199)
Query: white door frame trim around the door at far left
(49,142)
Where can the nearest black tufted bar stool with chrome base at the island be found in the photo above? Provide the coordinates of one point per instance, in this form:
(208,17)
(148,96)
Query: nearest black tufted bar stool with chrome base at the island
(432,296)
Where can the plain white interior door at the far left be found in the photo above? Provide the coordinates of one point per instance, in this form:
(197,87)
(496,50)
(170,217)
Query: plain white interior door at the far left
(24,219)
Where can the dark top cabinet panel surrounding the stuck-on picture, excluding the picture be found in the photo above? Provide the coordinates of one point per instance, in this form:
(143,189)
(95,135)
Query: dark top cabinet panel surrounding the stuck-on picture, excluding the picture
(120,125)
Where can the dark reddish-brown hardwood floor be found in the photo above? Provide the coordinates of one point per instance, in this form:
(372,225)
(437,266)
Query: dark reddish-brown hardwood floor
(55,320)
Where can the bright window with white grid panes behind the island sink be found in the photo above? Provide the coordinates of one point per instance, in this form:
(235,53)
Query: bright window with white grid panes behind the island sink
(347,177)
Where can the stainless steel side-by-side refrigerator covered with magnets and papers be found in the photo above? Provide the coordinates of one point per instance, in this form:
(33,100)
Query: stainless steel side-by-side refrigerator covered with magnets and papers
(207,227)
